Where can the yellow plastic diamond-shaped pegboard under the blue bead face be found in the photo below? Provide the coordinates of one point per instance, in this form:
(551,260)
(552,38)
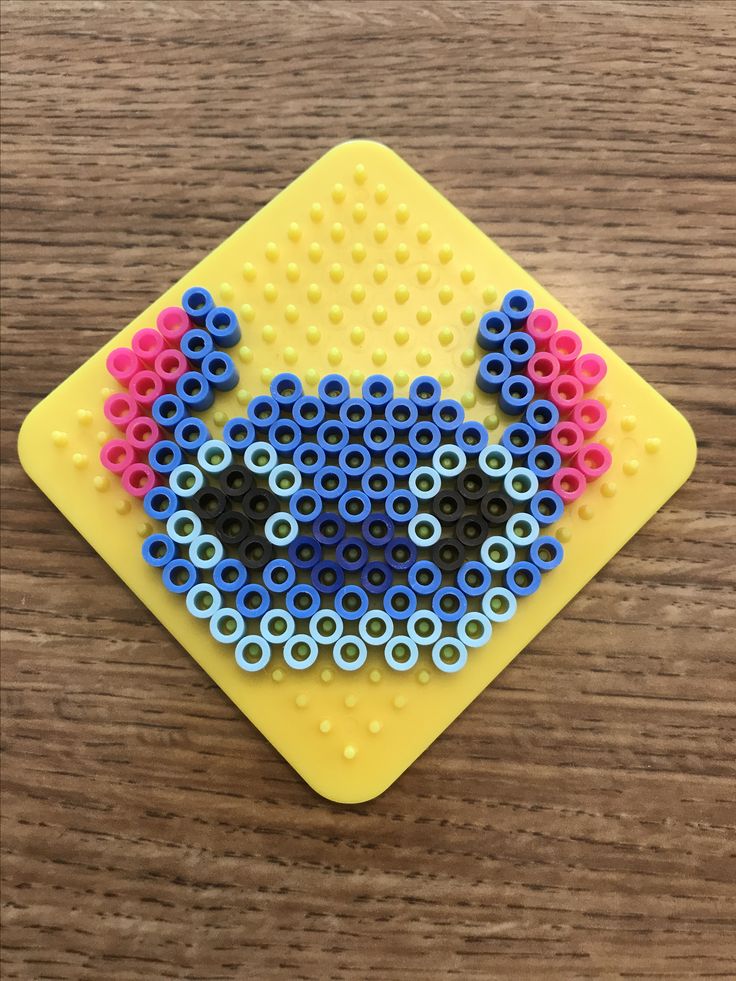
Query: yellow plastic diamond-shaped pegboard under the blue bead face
(359,266)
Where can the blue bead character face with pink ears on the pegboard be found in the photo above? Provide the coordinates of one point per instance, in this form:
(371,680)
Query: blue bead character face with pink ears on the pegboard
(340,527)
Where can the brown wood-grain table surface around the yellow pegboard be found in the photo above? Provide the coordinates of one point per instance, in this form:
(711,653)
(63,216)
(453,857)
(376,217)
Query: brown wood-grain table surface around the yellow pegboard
(578,820)
